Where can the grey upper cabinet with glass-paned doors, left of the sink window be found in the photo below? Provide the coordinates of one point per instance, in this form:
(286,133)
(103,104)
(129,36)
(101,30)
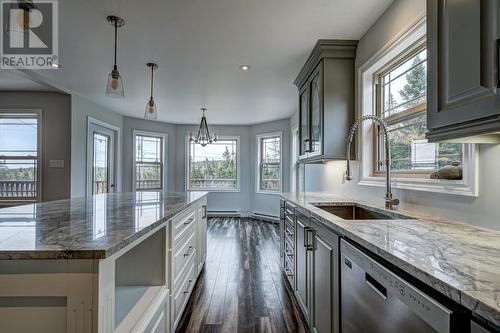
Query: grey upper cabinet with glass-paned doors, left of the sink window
(326,100)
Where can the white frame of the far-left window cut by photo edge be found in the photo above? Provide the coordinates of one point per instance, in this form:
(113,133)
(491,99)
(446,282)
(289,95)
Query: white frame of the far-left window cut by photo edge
(38,113)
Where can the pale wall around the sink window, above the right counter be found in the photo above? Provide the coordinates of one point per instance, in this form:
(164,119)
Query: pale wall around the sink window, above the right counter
(483,210)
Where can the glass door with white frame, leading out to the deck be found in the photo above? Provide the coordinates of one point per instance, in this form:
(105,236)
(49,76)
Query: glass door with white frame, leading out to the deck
(100,159)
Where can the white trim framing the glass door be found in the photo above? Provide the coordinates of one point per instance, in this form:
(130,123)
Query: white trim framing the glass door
(118,154)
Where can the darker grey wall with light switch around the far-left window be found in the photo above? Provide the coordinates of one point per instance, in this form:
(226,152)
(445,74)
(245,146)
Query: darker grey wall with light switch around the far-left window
(56,128)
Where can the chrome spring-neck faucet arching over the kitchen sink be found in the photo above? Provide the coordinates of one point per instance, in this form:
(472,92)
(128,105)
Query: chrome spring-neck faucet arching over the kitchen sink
(390,202)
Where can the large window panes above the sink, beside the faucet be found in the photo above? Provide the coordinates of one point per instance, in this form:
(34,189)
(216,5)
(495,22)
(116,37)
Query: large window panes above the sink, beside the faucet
(401,88)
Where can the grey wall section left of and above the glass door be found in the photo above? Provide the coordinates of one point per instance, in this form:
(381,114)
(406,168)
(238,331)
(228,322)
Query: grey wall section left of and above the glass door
(81,109)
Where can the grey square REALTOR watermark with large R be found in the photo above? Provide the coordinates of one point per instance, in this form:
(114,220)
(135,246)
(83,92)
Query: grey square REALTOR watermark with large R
(29,36)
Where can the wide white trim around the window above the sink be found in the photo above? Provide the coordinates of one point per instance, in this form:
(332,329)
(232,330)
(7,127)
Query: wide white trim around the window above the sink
(468,186)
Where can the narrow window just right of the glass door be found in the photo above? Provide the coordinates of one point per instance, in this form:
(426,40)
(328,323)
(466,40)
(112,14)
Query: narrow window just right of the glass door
(149,161)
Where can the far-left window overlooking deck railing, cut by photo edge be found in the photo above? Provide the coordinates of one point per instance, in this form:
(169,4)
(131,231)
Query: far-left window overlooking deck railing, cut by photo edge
(19,157)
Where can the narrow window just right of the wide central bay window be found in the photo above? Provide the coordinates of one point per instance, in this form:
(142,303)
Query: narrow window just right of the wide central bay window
(269,163)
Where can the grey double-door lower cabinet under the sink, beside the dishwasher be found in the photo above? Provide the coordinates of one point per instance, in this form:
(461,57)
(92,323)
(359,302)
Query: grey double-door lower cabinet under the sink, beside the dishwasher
(316,289)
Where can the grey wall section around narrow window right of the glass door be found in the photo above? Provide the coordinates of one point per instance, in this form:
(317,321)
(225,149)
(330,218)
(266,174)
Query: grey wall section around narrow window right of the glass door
(131,124)
